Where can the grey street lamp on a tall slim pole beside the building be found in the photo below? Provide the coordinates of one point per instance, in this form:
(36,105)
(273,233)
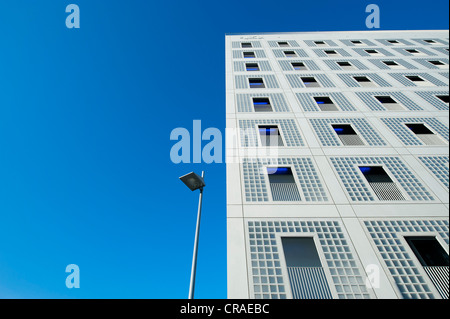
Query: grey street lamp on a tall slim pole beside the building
(194,182)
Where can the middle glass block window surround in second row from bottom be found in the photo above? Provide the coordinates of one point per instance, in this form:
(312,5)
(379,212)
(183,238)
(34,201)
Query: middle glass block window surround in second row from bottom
(357,186)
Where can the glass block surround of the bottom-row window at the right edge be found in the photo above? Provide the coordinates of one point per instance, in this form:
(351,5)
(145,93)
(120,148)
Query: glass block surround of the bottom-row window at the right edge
(404,268)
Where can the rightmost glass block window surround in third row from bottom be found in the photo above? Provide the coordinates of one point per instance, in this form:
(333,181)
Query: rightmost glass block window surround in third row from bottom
(398,127)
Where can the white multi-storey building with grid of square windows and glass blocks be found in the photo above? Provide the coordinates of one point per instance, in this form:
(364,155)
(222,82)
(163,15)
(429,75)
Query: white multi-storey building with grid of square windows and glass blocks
(338,164)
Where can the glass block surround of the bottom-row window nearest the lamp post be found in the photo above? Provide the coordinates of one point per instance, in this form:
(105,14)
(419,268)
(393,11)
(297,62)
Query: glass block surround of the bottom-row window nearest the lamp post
(266,273)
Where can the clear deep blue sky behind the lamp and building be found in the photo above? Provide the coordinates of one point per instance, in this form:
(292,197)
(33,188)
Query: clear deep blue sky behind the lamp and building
(85,120)
